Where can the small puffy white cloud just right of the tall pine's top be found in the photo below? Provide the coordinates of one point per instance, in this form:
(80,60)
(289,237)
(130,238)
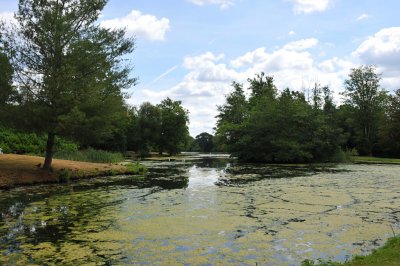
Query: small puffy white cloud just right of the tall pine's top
(143,25)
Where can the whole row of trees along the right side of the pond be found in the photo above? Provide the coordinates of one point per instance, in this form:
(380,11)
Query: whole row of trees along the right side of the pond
(288,127)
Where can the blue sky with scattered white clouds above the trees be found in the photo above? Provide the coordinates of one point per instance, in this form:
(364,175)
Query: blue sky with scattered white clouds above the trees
(192,50)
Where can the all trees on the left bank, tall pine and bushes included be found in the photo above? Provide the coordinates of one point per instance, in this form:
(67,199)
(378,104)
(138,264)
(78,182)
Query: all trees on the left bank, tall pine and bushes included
(63,76)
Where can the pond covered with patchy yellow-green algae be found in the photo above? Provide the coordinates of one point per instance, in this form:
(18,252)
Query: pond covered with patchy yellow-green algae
(204,210)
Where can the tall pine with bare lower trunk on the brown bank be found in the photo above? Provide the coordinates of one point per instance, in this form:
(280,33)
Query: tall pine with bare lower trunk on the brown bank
(69,70)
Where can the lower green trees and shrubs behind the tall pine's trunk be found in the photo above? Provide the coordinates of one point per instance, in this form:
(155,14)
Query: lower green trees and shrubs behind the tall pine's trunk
(161,128)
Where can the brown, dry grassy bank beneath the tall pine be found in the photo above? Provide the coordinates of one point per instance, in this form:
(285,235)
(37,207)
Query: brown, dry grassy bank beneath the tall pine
(17,170)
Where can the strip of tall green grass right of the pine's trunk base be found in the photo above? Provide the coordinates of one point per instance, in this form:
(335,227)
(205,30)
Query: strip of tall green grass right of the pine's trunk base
(90,155)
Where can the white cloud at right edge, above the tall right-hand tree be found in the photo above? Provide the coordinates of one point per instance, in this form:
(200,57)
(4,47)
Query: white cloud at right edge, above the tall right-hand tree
(383,50)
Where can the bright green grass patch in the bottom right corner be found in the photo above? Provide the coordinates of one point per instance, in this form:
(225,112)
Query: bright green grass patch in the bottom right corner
(388,255)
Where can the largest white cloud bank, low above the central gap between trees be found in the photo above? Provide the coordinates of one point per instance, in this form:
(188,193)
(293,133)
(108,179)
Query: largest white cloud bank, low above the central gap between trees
(210,75)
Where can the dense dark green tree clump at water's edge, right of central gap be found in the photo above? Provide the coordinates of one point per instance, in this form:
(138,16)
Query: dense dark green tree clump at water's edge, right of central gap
(278,127)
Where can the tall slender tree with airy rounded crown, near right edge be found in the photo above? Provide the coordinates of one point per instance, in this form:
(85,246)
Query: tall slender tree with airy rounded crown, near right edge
(363,92)
